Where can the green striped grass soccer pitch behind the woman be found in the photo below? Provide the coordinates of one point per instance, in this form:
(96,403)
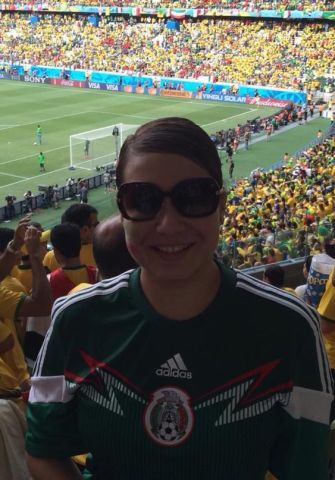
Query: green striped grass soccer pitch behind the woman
(62,112)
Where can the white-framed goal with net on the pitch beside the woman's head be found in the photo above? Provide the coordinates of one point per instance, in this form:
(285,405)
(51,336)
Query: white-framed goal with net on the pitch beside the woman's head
(98,148)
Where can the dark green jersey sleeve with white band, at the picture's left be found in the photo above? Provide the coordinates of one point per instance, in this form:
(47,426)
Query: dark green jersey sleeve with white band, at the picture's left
(52,406)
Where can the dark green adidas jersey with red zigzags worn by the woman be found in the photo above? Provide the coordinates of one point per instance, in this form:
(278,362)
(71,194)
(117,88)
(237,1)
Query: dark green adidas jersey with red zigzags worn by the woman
(240,389)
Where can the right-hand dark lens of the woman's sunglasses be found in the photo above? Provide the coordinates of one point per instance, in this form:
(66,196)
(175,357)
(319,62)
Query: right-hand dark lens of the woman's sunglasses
(196,197)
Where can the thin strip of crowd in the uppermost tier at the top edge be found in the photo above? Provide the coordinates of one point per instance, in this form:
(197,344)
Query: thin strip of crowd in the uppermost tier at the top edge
(244,5)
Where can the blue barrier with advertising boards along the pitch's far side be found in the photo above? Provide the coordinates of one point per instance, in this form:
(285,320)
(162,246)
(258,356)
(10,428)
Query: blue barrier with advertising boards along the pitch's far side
(164,86)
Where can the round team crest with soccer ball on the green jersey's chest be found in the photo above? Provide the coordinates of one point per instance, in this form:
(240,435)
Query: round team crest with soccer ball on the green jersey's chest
(168,418)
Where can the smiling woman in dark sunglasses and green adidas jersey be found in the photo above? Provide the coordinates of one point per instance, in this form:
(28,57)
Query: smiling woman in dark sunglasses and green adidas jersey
(182,368)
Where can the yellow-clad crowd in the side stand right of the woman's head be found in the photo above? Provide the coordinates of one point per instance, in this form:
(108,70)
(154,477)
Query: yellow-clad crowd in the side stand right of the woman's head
(283,213)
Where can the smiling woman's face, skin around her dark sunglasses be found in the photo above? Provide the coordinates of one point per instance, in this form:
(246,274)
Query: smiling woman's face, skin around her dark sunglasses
(170,247)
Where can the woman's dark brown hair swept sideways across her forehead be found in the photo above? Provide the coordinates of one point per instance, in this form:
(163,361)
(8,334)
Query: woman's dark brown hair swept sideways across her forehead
(172,135)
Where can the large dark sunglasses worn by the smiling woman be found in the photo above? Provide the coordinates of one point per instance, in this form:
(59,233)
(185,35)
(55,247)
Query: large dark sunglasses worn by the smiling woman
(193,198)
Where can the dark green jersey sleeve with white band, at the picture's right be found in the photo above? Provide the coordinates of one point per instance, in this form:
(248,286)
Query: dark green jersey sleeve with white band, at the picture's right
(302,448)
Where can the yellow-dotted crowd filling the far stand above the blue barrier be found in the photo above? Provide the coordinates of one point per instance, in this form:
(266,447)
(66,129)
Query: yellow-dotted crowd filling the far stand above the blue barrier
(292,55)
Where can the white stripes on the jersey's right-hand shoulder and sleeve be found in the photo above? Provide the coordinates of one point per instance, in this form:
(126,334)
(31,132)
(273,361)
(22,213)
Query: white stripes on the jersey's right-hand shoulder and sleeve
(265,290)
